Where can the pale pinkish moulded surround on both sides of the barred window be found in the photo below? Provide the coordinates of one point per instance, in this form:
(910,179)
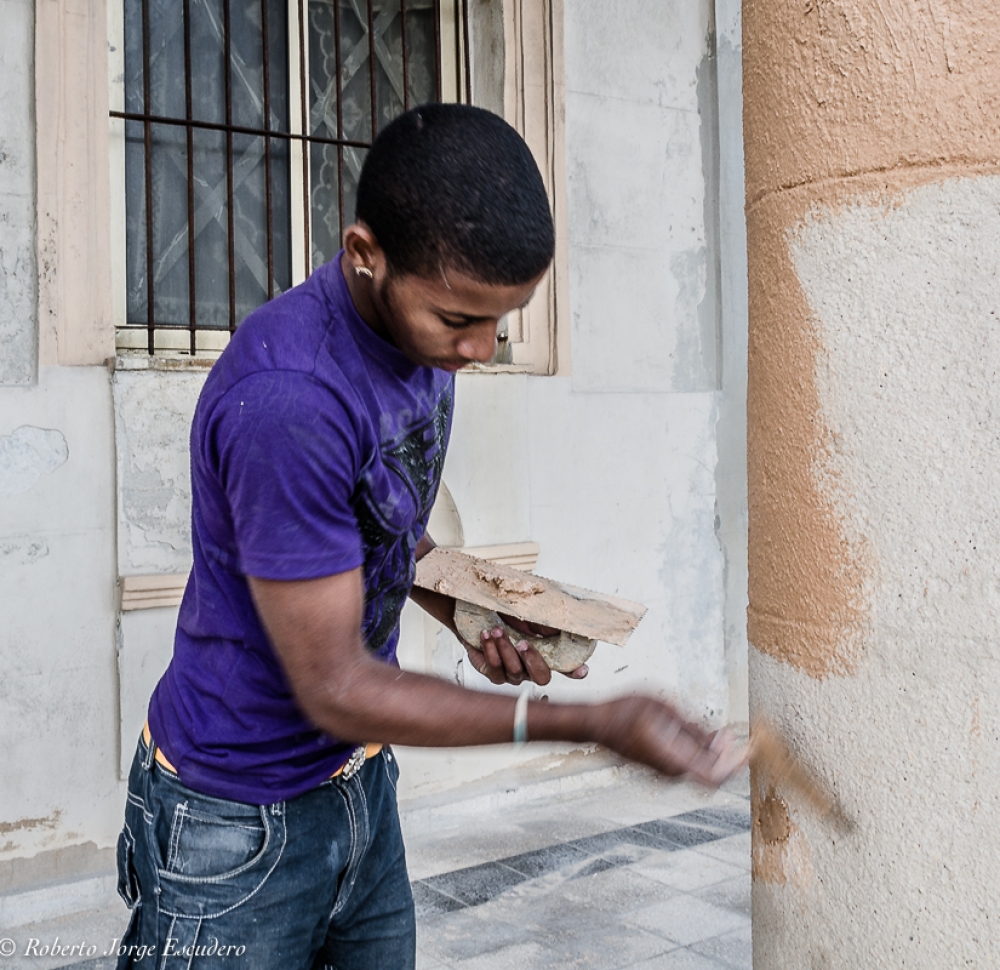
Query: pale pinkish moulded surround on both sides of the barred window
(81,296)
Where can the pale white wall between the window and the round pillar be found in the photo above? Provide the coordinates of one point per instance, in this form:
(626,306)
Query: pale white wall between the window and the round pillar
(616,469)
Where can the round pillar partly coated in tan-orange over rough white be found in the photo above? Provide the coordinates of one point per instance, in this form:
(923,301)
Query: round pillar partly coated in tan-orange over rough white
(873,218)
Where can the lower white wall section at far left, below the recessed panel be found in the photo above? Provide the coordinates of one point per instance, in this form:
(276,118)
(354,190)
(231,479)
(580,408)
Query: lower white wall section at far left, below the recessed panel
(58,608)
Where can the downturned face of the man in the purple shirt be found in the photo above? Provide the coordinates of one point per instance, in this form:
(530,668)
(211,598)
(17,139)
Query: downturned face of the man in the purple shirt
(448,321)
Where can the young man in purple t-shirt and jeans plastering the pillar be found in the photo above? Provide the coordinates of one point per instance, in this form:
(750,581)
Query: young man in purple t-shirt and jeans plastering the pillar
(261,830)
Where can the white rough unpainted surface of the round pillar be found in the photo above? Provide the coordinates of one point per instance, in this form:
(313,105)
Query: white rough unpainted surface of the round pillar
(906,300)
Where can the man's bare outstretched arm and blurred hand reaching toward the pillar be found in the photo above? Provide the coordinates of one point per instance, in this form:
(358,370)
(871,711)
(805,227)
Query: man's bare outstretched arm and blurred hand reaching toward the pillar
(315,626)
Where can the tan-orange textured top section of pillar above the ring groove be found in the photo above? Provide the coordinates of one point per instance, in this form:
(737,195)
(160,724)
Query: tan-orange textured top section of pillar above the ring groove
(835,88)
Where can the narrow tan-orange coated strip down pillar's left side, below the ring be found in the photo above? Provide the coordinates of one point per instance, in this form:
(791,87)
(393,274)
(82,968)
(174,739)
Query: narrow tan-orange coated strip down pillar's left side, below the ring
(806,604)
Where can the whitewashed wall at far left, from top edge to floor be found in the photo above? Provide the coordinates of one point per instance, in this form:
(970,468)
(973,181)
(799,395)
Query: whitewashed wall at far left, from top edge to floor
(58,732)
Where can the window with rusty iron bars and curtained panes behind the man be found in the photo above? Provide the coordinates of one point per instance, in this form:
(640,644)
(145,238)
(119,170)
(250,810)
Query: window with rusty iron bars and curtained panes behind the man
(238,133)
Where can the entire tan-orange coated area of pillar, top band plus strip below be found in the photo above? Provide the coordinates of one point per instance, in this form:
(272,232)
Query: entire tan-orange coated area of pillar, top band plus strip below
(846,101)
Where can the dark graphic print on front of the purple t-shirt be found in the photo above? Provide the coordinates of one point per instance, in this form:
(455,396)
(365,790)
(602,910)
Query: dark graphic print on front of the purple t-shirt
(392,507)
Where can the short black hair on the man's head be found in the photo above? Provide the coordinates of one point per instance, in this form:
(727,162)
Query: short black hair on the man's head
(450,185)
